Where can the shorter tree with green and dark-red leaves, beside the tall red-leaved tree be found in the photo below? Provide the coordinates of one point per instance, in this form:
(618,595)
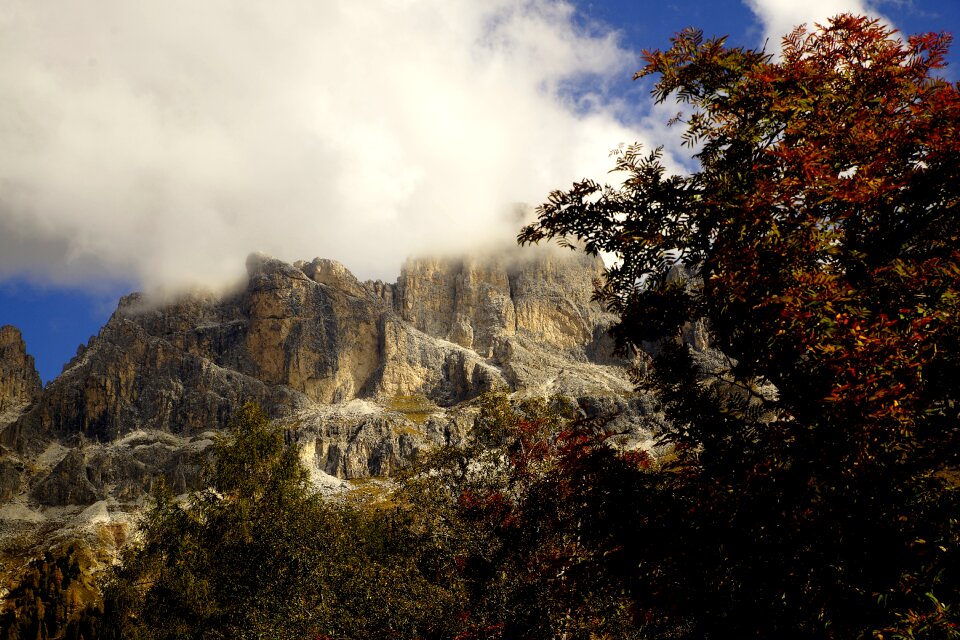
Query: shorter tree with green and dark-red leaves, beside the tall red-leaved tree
(513,518)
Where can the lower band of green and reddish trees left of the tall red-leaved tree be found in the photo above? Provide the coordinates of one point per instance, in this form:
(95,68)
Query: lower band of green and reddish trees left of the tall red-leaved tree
(472,544)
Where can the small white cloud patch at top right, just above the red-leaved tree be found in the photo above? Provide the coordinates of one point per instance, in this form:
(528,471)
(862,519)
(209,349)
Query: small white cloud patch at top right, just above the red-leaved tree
(780,17)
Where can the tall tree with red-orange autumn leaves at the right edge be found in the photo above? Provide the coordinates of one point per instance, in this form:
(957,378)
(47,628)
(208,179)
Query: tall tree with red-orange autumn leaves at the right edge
(815,491)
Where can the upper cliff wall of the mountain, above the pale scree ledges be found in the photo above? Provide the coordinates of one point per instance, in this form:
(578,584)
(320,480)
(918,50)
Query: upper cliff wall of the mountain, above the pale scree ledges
(311,333)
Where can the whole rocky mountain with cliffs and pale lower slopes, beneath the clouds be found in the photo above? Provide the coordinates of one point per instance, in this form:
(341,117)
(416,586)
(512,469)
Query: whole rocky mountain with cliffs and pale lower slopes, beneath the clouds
(363,376)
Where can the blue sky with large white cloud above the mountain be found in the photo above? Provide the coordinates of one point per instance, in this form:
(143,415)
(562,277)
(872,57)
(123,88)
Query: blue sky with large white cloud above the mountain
(154,145)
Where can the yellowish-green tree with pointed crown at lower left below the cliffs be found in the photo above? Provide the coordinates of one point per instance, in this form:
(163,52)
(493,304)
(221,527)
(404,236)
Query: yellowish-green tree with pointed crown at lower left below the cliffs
(230,560)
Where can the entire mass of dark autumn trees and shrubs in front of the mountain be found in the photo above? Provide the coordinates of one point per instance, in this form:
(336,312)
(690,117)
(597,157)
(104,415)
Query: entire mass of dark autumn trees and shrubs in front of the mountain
(812,490)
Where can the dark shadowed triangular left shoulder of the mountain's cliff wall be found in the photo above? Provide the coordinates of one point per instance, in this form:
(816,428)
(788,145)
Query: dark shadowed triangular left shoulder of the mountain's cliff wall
(128,379)
